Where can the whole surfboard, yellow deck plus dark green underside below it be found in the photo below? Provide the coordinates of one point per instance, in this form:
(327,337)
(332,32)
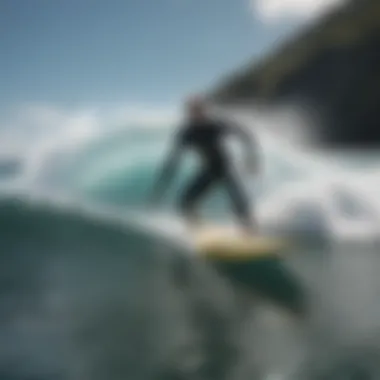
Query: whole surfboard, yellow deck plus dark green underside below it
(254,263)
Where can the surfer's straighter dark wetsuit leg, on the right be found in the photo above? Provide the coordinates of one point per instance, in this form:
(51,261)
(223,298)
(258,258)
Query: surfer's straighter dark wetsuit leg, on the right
(240,201)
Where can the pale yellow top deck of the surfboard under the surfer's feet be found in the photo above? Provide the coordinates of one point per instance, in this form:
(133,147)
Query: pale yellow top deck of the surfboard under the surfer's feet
(224,243)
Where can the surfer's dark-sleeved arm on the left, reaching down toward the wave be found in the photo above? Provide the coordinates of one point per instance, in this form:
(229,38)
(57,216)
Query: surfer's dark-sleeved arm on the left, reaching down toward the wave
(169,167)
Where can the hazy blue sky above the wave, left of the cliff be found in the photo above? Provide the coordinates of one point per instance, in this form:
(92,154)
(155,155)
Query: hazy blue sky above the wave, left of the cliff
(80,52)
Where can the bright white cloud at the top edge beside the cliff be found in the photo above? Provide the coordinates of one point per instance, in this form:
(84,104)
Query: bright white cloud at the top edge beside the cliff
(272,11)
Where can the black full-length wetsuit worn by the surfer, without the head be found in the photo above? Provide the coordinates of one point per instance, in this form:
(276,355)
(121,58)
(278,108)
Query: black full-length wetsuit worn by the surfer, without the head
(206,138)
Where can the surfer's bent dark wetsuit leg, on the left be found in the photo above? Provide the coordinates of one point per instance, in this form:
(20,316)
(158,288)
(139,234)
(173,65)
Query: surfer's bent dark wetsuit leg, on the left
(197,188)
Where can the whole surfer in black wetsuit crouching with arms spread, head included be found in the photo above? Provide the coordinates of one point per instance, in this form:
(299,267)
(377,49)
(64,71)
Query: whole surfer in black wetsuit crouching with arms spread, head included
(205,135)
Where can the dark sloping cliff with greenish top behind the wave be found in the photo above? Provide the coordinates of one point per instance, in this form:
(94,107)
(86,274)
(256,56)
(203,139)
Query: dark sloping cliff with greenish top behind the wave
(333,66)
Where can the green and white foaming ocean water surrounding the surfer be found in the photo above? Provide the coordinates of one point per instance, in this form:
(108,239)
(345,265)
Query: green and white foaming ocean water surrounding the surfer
(96,286)
